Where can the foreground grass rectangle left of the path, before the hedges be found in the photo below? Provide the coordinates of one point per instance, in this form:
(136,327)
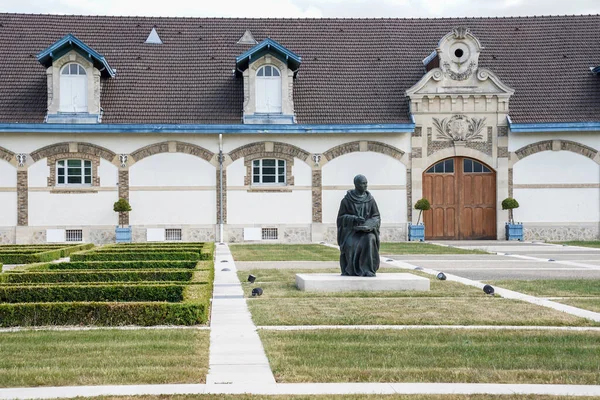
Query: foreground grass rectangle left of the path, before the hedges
(102,357)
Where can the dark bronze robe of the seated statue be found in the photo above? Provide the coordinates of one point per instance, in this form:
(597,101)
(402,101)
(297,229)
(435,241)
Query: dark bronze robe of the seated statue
(359,250)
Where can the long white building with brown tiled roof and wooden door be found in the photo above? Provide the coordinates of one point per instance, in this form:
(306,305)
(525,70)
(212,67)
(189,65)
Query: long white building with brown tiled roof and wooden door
(465,112)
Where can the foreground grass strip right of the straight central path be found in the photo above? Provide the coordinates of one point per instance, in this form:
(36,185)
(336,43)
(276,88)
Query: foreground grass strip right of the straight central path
(434,356)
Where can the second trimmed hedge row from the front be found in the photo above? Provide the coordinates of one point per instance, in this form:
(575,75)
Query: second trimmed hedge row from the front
(61,293)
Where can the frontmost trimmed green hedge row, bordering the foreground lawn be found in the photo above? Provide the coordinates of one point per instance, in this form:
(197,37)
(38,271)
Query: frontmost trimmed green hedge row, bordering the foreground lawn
(103,314)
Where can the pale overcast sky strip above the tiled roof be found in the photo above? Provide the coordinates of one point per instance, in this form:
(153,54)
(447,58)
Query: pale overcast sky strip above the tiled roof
(305,8)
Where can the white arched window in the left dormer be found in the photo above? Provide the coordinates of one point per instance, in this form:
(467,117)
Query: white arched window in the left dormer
(73,88)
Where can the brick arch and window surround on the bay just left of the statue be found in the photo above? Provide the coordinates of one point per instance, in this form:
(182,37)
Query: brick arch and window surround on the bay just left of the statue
(256,150)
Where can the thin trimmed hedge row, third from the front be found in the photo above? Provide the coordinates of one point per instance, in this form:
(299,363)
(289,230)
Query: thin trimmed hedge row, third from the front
(96,276)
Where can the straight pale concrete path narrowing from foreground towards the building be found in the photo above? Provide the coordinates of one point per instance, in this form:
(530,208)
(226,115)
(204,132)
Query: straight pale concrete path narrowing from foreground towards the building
(236,352)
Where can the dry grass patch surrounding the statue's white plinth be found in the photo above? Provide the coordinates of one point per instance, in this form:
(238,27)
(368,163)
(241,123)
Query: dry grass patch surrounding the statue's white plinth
(447,303)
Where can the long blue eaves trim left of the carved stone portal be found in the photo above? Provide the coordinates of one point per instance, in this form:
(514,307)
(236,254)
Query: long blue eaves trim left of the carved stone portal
(208,128)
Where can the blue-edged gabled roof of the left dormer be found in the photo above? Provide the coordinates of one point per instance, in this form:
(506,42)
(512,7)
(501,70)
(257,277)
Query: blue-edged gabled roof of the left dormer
(70,42)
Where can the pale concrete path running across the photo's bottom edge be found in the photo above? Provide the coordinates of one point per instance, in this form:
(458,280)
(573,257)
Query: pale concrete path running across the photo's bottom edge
(302,389)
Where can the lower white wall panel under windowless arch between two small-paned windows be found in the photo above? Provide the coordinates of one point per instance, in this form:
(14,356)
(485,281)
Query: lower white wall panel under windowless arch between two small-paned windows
(179,207)
